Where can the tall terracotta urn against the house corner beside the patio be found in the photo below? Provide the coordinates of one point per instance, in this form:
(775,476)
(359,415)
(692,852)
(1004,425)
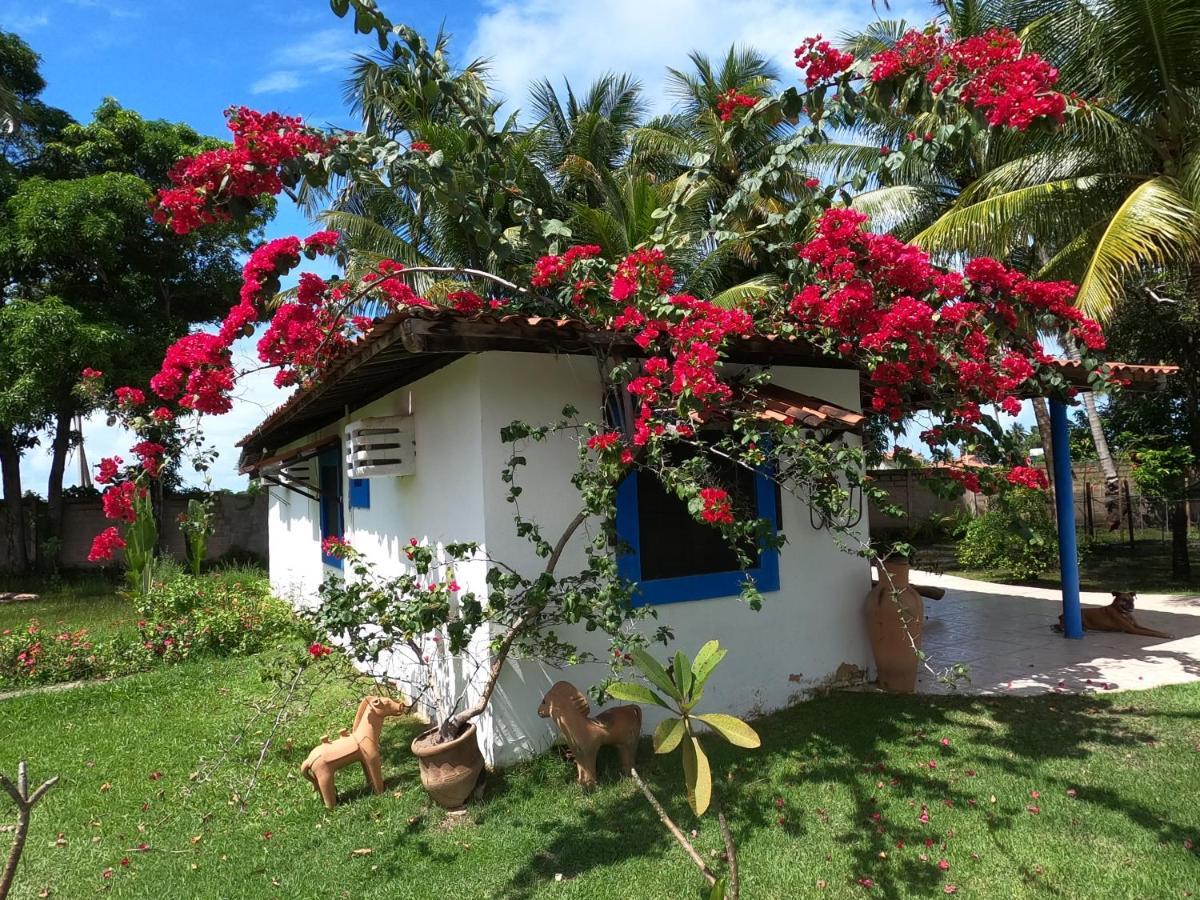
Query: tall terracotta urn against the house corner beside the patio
(886,620)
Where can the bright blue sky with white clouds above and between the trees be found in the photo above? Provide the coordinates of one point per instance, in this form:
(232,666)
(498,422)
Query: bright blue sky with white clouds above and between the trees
(188,61)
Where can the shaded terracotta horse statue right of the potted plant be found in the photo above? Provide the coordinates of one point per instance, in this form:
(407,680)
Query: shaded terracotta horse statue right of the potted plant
(620,727)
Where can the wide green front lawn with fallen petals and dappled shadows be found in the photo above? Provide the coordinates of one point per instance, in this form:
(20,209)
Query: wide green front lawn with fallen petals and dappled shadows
(803,807)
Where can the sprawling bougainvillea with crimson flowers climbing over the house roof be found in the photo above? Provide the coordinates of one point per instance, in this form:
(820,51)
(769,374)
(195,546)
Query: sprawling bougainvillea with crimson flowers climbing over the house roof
(953,343)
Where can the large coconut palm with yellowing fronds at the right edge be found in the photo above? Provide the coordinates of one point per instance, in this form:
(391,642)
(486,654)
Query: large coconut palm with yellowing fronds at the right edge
(1109,200)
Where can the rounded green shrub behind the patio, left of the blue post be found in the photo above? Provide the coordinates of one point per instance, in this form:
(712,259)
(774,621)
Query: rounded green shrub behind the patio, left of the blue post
(1017,536)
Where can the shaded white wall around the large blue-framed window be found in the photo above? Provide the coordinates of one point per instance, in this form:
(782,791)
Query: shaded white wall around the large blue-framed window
(796,643)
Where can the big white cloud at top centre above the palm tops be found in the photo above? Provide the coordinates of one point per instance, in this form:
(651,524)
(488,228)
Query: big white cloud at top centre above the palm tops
(536,39)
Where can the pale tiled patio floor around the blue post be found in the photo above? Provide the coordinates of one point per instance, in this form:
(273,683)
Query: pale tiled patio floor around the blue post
(1004,634)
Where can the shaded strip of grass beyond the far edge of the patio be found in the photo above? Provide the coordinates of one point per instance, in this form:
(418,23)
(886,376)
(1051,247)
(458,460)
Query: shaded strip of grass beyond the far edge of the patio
(1108,565)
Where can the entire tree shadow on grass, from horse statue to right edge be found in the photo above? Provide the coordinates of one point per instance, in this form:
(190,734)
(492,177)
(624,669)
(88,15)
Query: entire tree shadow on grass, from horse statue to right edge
(879,749)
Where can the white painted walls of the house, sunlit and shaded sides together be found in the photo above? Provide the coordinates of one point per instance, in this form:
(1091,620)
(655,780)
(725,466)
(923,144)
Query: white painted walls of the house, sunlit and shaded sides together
(805,632)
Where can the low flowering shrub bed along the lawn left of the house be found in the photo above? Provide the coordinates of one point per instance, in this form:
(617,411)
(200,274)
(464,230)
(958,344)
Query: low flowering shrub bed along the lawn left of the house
(223,614)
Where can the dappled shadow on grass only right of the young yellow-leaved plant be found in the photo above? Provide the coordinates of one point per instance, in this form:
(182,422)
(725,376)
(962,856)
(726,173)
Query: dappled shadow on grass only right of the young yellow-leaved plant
(868,746)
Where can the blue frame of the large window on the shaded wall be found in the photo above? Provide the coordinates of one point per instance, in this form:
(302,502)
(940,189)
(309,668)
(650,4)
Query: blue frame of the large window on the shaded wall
(679,587)
